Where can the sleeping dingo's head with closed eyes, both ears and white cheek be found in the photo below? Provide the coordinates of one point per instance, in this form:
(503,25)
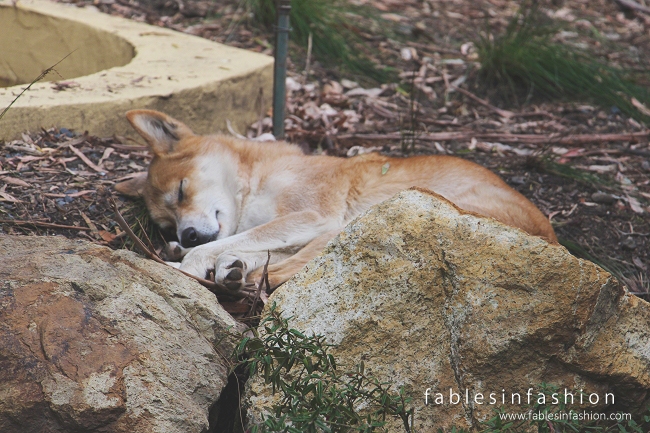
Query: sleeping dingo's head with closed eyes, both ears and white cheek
(190,185)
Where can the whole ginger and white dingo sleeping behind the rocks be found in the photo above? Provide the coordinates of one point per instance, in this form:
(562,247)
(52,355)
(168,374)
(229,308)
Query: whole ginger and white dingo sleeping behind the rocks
(230,200)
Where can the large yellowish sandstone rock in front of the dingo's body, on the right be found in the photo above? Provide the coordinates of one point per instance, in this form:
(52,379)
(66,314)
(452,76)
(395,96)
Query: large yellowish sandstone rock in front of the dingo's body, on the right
(432,297)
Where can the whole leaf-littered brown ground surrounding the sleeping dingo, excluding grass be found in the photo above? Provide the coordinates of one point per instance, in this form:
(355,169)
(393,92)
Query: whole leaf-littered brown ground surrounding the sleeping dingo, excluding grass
(586,167)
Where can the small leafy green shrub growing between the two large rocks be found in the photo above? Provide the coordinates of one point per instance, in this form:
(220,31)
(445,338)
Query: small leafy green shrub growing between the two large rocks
(315,396)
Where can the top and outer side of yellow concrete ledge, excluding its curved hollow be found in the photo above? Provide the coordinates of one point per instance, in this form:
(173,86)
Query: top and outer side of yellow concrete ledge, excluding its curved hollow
(197,81)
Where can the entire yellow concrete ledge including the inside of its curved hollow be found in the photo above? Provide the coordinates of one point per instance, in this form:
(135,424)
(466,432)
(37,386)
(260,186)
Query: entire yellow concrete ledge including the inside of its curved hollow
(195,80)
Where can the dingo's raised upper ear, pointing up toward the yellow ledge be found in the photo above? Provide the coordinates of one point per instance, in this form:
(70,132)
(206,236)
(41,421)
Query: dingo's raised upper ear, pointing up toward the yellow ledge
(161,131)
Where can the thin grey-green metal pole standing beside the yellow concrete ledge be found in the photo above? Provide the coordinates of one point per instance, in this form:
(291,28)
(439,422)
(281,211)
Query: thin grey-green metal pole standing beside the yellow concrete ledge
(280,71)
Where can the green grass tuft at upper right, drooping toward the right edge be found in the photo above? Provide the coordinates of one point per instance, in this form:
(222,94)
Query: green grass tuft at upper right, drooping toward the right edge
(525,59)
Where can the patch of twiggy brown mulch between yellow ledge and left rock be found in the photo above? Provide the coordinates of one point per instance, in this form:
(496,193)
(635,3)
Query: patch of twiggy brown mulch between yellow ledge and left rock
(58,182)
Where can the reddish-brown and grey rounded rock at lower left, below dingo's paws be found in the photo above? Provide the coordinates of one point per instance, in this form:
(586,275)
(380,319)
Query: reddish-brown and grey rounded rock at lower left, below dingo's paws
(105,341)
